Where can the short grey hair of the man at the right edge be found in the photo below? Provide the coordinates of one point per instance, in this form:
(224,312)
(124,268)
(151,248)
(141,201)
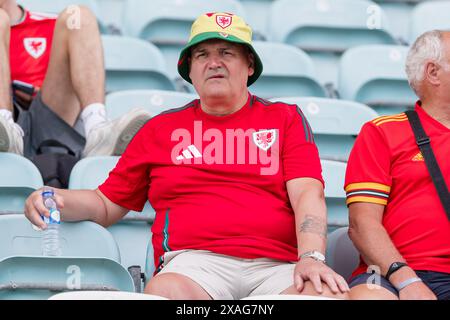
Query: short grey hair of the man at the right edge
(428,47)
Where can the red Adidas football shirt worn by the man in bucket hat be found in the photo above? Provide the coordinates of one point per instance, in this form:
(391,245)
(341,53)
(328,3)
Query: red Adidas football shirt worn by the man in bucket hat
(219,183)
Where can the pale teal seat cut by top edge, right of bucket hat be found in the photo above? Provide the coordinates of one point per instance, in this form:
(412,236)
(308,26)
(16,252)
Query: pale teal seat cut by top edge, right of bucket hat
(326,28)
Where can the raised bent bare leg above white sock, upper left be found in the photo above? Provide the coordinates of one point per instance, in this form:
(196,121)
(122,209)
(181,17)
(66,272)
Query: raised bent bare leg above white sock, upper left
(75,77)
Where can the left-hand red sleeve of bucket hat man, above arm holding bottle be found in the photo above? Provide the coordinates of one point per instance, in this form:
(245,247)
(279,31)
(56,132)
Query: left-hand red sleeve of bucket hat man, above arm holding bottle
(128,183)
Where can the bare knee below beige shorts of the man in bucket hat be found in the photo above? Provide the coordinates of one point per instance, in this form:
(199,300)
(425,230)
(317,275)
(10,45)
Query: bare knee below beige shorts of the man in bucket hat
(177,287)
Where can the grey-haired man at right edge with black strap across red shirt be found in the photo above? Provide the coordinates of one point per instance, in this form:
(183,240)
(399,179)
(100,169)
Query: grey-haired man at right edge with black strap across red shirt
(397,220)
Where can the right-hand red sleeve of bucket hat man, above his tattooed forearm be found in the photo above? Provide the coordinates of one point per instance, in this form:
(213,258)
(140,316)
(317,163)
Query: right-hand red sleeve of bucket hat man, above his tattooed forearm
(299,154)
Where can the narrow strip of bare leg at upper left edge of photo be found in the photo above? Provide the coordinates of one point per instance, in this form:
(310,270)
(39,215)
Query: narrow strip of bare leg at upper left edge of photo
(5,73)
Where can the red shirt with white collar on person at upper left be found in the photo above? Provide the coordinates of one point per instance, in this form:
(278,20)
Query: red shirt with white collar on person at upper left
(30,46)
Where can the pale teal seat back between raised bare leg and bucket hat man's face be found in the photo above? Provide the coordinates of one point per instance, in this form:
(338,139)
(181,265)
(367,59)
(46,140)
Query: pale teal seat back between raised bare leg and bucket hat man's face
(134,64)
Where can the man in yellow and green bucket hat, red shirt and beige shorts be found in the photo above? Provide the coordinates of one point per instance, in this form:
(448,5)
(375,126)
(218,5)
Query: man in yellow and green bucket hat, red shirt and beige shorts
(235,182)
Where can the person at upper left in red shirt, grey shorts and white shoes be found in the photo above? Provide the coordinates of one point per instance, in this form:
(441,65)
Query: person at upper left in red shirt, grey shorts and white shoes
(61,59)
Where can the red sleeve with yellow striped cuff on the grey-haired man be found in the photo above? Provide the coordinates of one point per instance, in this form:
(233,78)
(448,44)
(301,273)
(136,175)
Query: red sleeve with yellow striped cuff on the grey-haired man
(368,176)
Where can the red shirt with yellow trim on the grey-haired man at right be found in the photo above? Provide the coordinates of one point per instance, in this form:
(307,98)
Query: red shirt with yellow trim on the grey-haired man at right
(386,167)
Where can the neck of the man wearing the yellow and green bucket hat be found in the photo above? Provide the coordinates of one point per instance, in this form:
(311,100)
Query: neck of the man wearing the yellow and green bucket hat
(222,107)
